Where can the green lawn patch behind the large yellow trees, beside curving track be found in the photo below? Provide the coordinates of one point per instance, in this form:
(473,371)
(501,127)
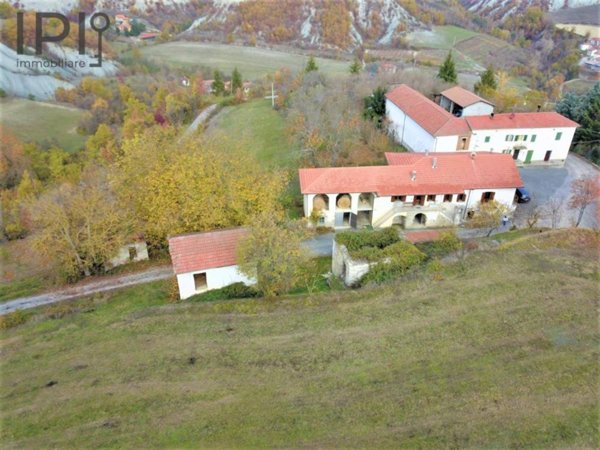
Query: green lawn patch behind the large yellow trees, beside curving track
(261,129)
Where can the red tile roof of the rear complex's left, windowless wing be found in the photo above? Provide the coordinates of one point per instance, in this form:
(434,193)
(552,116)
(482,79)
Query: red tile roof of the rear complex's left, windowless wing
(430,116)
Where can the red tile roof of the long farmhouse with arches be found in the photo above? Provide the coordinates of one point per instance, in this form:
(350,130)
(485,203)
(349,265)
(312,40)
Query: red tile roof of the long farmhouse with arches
(454,173)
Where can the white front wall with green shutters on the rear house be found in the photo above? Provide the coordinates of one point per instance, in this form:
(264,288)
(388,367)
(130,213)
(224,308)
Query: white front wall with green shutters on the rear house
(545,140)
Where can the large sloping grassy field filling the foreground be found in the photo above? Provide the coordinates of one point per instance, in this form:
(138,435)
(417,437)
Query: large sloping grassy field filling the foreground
(474,355)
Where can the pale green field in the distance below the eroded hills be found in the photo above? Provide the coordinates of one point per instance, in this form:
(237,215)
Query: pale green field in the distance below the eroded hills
(253,62)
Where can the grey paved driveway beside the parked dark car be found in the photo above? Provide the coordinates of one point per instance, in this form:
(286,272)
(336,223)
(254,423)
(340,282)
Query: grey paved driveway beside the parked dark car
(544,183)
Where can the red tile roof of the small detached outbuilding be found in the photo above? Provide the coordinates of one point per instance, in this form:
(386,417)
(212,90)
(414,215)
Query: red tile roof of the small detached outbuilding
(200,251)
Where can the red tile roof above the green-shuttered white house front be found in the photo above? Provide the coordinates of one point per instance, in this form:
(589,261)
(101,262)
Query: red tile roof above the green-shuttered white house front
(520,120)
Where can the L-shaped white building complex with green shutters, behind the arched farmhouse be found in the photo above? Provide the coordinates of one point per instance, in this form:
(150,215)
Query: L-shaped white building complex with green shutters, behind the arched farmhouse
(422,125)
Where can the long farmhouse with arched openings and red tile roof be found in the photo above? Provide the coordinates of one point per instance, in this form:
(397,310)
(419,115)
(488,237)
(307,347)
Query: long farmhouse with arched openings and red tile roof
(415,190)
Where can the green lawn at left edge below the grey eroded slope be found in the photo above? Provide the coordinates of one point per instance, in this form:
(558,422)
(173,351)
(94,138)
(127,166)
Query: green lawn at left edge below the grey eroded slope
(42,122)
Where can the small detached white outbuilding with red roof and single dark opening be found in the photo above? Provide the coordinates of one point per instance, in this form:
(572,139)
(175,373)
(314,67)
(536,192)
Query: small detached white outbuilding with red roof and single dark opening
(205,261)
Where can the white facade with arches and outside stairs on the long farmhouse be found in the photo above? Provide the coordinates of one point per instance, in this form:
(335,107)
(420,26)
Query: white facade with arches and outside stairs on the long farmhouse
(387,211)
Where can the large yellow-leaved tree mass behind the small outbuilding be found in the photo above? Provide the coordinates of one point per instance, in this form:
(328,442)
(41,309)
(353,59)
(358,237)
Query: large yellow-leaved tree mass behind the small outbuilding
(178,186)
